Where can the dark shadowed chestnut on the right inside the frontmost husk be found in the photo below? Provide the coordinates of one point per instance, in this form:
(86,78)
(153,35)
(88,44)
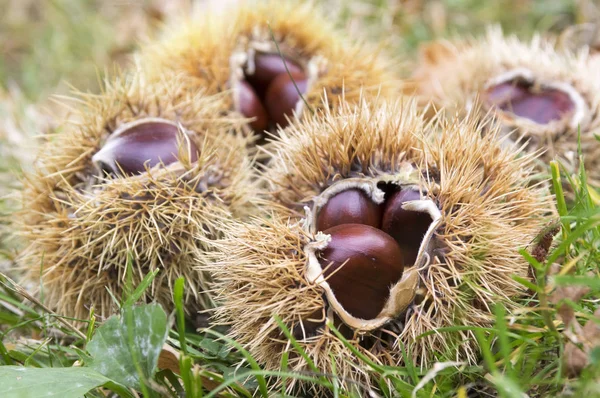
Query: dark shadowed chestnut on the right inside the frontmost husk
(407,227)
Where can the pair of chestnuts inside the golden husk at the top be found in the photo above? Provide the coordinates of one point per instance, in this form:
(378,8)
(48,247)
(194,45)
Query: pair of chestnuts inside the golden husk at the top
(269,92)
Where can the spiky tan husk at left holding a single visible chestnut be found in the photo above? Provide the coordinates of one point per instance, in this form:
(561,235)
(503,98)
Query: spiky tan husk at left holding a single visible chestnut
(81,229)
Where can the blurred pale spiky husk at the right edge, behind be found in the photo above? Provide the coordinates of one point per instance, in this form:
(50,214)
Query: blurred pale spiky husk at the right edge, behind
(453,75)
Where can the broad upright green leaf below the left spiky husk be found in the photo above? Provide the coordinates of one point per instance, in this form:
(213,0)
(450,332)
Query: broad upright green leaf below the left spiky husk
(126,348)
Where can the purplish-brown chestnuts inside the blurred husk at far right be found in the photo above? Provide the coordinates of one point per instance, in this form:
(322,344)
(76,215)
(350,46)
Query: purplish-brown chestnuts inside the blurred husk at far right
(524,99)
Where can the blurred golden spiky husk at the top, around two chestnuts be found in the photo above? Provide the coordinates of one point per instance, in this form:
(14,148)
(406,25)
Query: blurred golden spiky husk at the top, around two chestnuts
(206,49)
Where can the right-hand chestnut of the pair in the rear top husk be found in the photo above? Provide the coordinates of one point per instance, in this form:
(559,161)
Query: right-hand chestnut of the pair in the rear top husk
(282,96)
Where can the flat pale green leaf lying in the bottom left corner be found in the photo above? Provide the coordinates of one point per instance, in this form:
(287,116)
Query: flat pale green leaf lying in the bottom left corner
(21,382)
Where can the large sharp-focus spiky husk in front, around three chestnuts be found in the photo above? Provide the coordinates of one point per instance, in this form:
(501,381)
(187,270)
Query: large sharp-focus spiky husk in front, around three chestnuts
(488,211)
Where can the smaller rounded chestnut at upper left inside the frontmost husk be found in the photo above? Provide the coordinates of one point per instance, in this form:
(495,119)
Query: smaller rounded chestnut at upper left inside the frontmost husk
(352,206)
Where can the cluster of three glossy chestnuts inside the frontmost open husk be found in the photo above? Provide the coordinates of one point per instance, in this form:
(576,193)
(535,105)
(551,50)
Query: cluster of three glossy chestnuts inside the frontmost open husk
(370,245)
